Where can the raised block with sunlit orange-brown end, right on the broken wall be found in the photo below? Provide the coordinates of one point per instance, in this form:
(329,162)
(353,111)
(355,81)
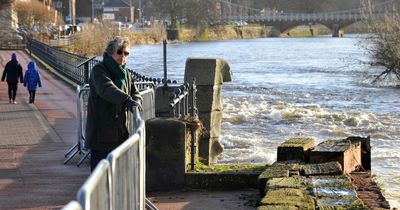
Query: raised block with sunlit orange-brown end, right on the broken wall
(346,152)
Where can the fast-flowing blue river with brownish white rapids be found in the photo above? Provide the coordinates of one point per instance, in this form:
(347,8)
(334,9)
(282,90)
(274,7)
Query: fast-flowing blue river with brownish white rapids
(294,87)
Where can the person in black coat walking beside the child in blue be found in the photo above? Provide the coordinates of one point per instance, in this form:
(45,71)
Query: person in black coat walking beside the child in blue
(12,71)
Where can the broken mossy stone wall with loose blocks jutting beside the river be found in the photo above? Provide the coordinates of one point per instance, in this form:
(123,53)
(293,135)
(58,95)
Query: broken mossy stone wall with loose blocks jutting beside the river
(331,175)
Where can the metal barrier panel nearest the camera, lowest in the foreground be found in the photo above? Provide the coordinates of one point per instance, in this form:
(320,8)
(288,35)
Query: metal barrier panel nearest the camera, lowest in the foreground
(96,192)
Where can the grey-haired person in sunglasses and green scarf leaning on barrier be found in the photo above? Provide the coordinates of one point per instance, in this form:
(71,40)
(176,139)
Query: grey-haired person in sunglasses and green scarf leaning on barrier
(112,93)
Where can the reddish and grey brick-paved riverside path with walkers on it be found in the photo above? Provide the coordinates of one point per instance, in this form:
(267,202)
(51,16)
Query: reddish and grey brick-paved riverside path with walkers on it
(33,140)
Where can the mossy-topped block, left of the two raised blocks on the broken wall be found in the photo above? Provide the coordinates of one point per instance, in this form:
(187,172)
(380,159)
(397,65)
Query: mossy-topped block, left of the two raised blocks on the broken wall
(295,149)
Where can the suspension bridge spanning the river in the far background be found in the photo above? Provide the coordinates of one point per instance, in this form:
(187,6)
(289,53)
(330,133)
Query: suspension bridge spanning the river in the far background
(285,21)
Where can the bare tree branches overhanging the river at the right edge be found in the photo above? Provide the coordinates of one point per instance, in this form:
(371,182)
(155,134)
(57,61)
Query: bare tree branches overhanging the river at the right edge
(384,43)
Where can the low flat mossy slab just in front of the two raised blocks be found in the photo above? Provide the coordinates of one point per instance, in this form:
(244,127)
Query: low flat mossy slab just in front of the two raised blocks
(329,168)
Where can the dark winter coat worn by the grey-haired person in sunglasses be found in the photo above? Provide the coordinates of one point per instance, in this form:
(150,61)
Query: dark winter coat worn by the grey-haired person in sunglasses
(106,121)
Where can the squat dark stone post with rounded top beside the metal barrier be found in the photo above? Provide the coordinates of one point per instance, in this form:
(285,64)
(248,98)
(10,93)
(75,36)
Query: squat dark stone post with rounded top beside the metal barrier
(165,154)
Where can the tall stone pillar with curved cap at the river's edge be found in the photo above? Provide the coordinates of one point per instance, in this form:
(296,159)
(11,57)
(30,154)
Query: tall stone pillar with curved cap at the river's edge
(210,74)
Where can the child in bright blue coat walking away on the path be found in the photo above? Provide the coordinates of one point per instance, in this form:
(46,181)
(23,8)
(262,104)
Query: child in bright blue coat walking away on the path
(31,81)
